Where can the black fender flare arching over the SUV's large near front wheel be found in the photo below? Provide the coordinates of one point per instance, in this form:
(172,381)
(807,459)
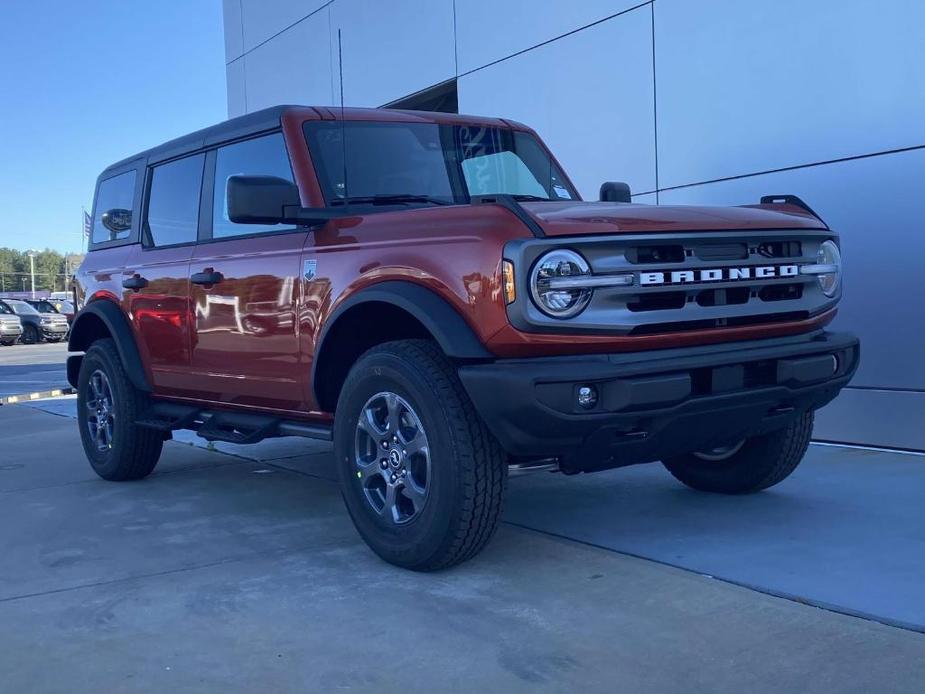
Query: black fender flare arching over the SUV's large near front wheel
(449,329)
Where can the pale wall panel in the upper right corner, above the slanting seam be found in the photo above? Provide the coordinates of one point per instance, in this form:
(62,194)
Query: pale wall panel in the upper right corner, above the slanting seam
(745,87)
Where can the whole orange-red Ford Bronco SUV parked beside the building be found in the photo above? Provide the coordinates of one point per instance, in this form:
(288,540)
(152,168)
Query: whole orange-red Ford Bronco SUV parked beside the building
(430,293)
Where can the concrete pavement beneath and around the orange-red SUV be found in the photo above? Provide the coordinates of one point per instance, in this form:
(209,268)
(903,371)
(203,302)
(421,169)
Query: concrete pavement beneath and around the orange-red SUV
(238,569)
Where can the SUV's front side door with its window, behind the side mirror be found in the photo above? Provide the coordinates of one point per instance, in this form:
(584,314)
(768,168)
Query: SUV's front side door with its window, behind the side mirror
(244,292)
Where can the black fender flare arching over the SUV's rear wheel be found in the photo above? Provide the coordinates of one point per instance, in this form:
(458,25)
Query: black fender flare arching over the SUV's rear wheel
(83,334)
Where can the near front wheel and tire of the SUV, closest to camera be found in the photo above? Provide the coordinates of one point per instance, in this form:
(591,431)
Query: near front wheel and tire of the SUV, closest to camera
(422,477)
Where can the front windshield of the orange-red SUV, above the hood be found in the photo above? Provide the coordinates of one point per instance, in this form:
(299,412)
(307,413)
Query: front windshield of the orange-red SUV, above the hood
(430,163)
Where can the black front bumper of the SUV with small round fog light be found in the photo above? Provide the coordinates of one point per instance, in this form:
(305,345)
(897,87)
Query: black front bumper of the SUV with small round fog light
(657,404)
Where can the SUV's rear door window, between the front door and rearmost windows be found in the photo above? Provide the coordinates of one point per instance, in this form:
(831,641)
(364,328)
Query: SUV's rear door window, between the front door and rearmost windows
(173,204)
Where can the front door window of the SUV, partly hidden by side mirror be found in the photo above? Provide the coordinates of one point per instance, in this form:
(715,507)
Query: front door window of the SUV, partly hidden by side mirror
(263,156)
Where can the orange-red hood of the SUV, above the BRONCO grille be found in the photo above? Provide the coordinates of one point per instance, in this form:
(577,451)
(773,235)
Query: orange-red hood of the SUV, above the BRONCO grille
(581,218)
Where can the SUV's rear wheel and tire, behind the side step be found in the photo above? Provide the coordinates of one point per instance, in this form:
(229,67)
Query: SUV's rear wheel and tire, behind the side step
(108,405)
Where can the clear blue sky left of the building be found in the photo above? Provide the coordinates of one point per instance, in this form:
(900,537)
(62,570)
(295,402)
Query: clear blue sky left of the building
(86,83)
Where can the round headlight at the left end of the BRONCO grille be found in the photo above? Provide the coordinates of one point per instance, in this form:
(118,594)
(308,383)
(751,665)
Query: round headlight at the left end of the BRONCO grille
(550,284)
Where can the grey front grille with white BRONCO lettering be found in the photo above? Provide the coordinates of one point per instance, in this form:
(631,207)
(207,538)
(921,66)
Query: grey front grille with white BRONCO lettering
(694,286)
